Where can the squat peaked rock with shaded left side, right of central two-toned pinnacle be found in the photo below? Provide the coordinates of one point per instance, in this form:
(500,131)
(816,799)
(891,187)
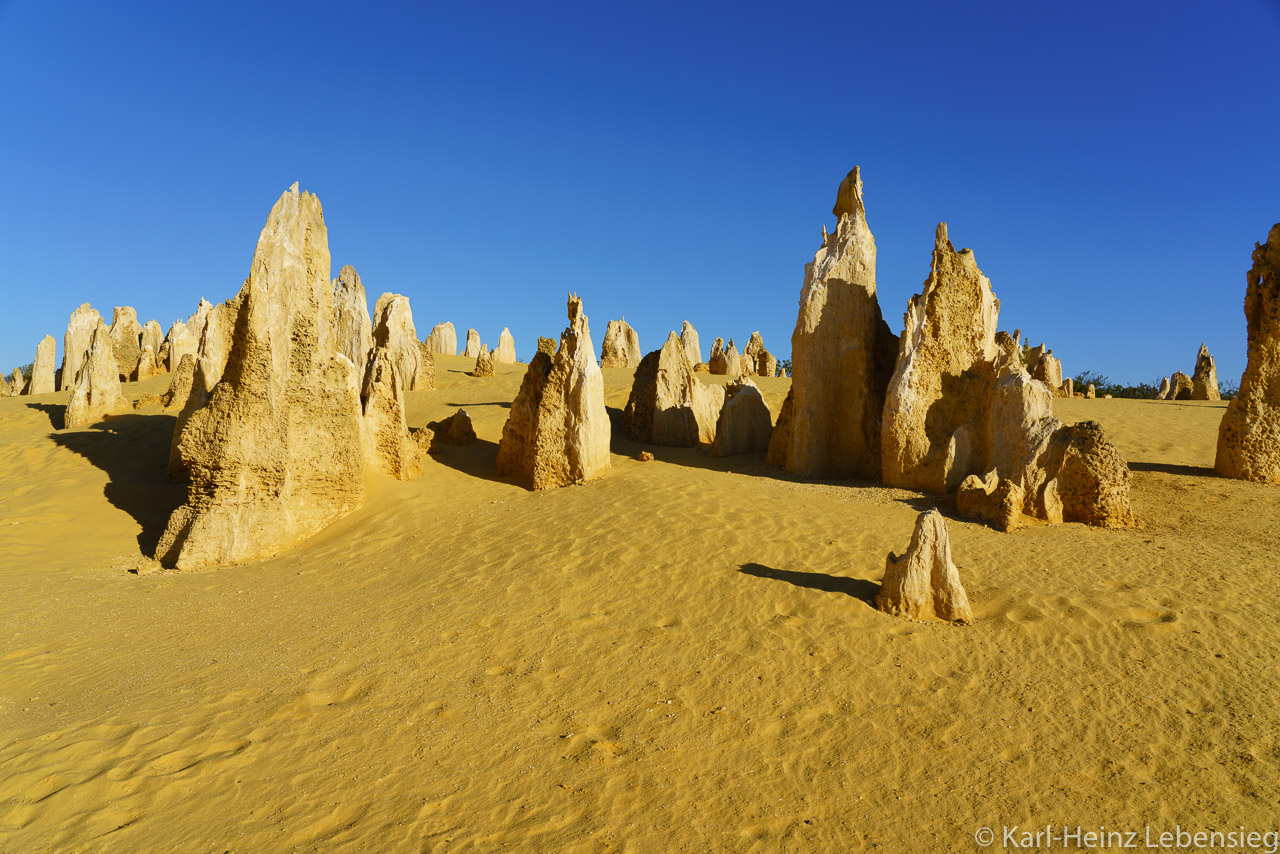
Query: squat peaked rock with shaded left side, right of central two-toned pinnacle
(669,405)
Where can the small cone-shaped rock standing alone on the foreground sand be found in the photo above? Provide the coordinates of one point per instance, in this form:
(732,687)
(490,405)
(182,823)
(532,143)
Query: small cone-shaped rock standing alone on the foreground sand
(925,584)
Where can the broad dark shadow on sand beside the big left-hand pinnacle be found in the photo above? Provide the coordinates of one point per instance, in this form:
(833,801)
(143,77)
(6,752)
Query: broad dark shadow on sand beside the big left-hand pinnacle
(134,451)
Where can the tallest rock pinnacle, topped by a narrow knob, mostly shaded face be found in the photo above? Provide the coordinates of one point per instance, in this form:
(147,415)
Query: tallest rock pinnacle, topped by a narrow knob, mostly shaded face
(843,355)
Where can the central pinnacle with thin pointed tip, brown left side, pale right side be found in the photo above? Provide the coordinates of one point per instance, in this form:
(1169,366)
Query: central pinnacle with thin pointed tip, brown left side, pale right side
(559,430)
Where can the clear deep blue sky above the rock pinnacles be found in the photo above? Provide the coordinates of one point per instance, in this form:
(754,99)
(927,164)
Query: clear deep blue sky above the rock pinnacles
(1110,163)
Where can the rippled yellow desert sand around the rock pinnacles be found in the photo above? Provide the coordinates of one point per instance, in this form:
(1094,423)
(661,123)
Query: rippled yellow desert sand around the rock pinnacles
(682,656)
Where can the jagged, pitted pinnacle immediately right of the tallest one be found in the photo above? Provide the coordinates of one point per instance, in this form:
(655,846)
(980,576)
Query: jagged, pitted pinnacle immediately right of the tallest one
(936,401)
